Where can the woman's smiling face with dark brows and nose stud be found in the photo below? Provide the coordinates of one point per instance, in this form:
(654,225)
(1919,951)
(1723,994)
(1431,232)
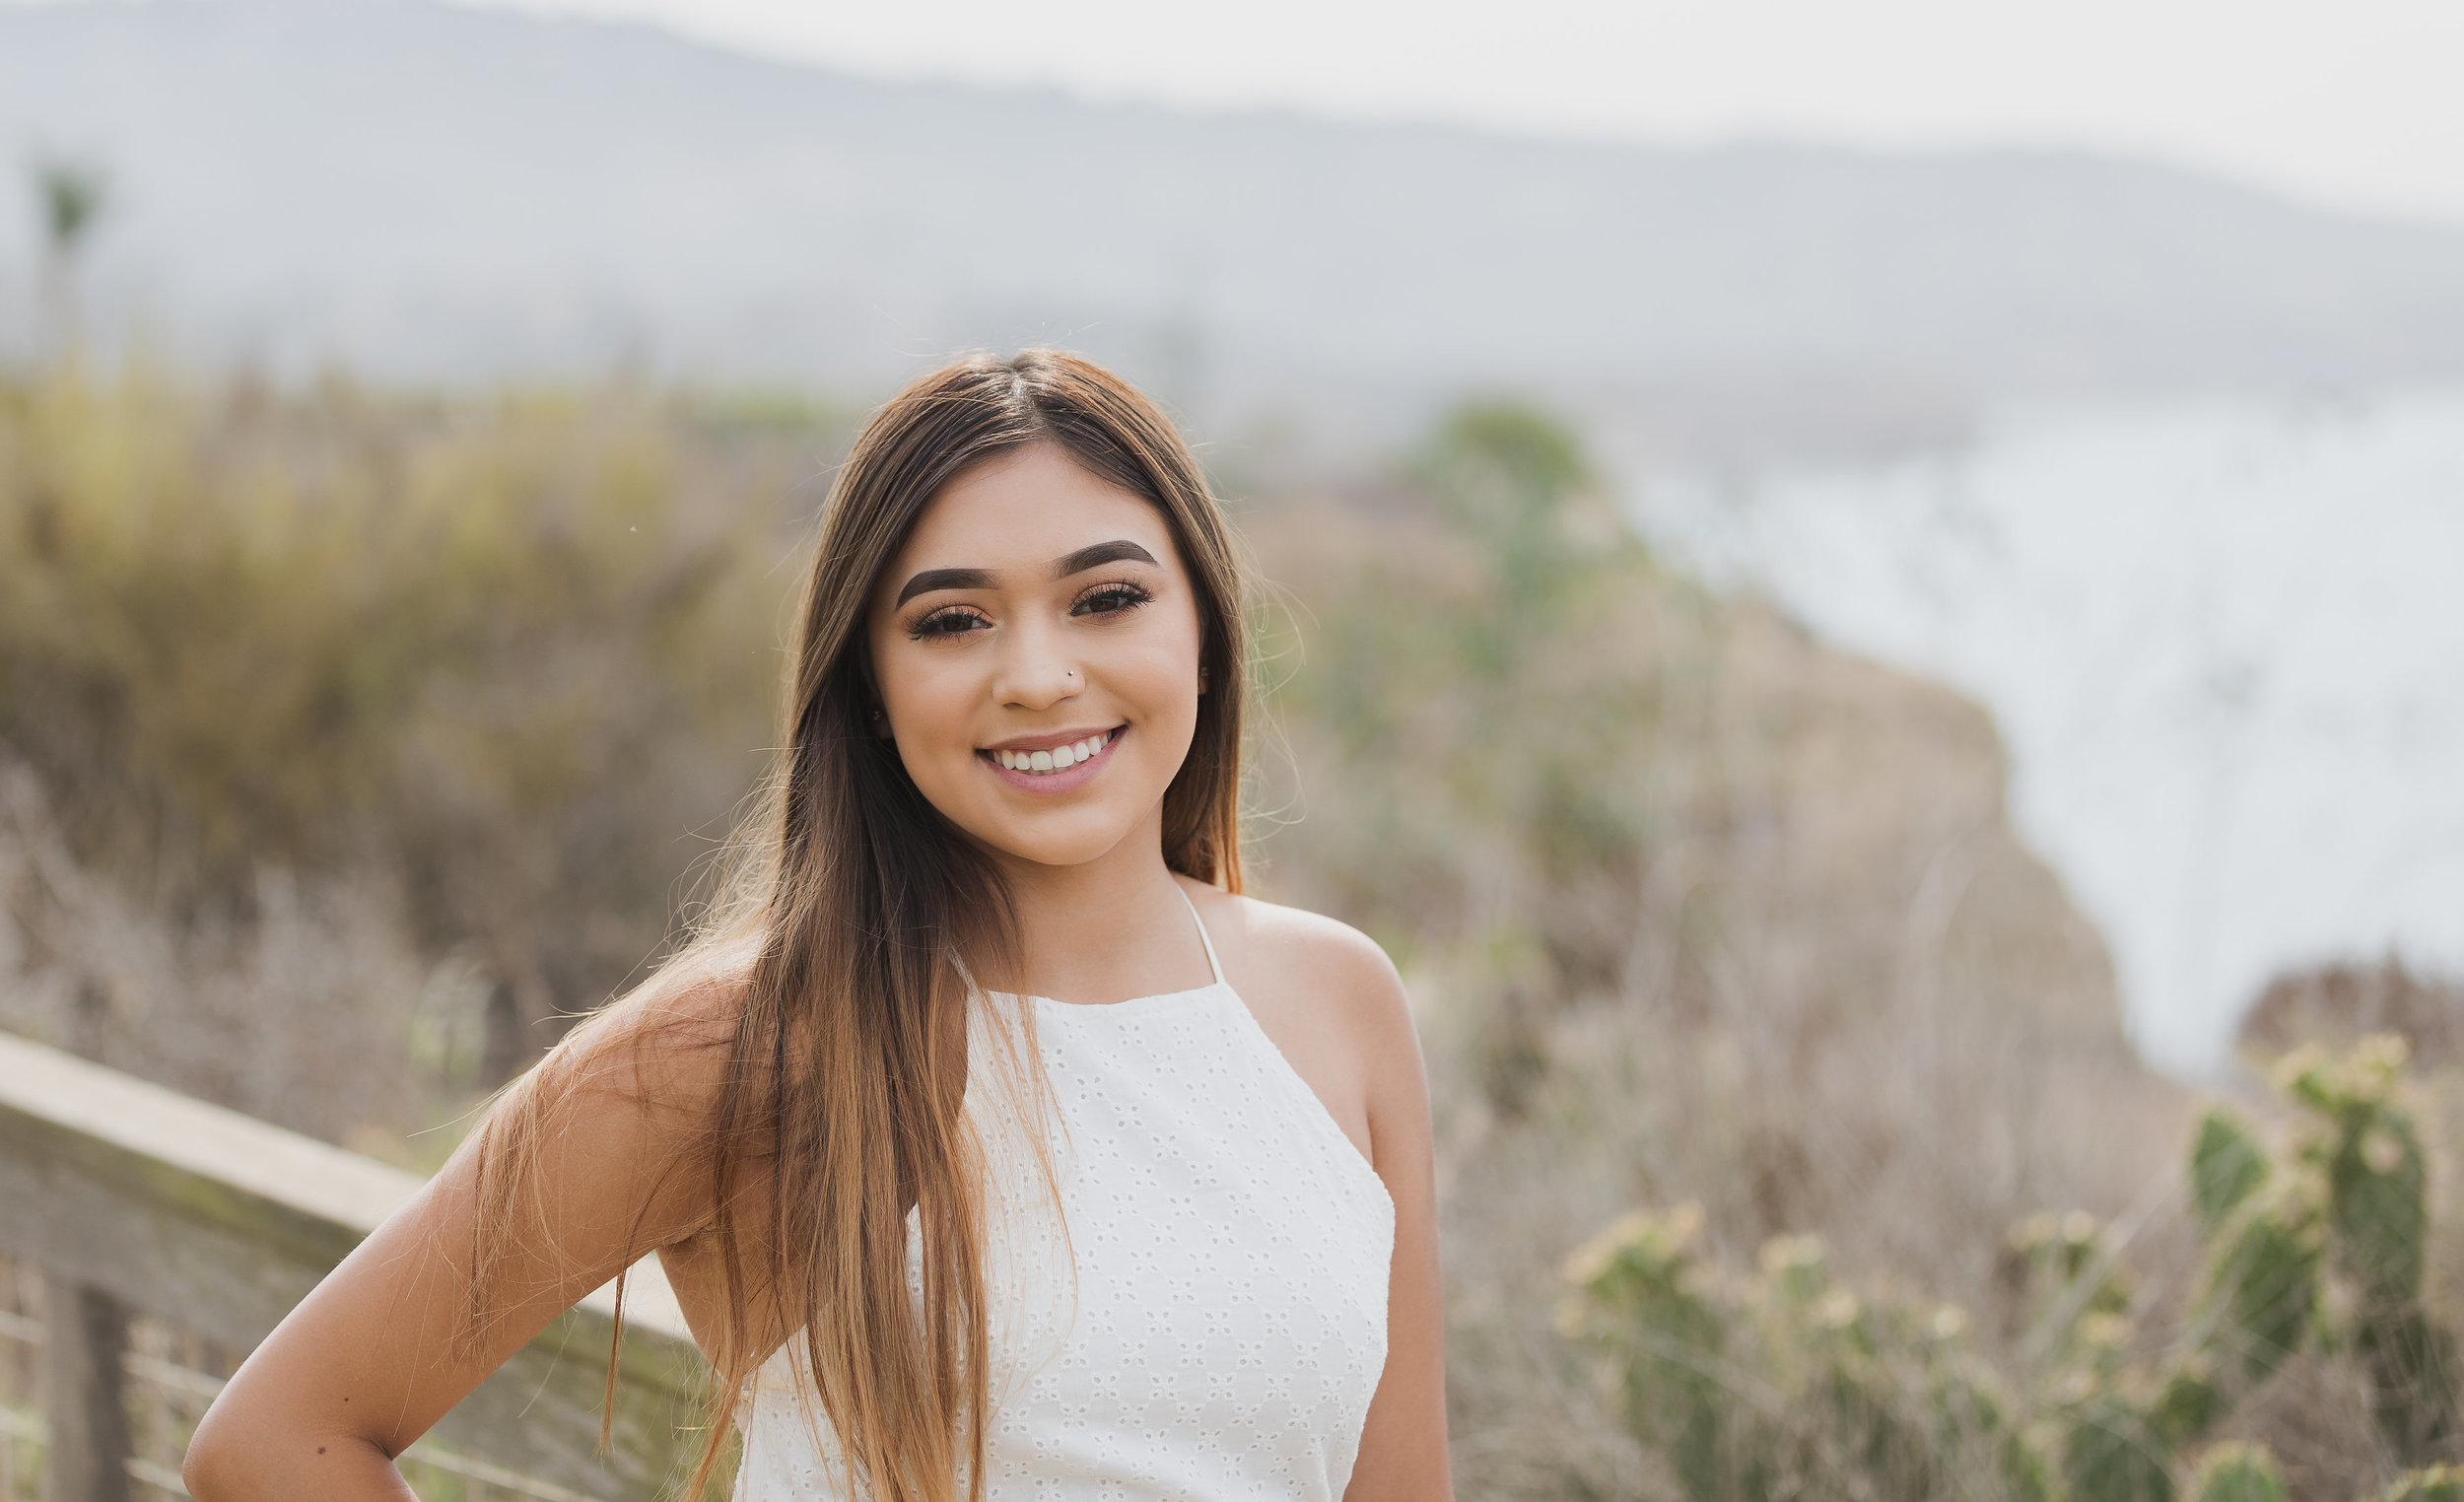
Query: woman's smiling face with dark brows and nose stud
(1036,646)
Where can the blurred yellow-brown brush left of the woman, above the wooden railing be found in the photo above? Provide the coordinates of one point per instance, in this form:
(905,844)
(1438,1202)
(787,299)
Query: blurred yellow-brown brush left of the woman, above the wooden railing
(349,742)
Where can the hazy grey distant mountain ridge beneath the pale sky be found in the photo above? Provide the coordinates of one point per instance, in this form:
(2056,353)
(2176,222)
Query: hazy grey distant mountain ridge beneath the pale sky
(442,193)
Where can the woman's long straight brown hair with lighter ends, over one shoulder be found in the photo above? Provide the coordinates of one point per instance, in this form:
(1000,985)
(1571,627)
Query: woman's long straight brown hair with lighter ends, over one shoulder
(849,1060)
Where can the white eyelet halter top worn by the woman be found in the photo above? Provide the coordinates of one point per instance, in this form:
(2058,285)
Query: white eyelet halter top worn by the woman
(1206,1319)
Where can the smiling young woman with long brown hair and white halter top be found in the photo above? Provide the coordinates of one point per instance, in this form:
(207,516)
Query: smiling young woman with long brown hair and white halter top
(994,1144)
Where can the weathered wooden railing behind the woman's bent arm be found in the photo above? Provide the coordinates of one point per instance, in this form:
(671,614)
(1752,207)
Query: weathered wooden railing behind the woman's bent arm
(142,1203)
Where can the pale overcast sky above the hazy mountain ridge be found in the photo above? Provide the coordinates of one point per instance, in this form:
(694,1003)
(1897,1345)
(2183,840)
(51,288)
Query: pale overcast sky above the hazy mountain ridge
(2347,102)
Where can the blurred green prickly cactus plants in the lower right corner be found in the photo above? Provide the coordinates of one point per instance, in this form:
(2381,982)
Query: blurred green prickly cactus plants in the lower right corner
(1761,1385)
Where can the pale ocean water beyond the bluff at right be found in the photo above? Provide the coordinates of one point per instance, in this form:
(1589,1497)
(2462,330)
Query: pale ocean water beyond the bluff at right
(2224,644)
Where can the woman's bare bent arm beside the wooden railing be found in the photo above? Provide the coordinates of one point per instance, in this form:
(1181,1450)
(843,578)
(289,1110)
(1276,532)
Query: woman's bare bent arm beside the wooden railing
(383,1348)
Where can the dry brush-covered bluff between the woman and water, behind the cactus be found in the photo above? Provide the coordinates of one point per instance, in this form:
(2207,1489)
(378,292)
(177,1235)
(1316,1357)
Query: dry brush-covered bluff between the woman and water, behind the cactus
(1696,910)
